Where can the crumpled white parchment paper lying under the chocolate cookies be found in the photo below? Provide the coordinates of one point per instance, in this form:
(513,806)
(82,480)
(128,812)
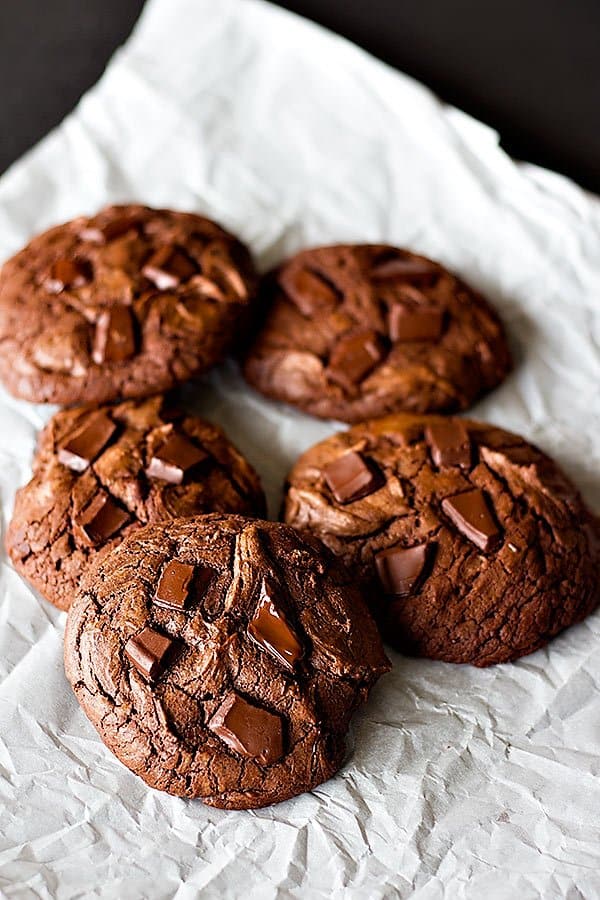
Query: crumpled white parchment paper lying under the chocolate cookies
(459,783)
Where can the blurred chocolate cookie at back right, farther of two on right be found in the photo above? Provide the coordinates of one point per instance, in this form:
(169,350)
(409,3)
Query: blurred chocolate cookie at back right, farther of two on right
(359,331)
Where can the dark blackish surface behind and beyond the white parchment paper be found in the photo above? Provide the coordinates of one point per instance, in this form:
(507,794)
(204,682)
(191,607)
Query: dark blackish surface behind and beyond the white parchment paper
(530,68)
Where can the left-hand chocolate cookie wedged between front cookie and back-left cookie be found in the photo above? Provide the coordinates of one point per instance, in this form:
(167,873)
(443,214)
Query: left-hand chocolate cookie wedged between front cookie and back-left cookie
(101,473)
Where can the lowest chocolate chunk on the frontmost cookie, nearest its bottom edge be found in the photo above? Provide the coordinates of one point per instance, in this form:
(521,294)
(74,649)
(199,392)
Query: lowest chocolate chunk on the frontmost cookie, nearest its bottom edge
(249,730)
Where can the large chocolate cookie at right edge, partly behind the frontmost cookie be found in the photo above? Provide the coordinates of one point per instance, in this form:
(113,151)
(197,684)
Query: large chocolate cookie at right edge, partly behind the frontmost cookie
(473,545)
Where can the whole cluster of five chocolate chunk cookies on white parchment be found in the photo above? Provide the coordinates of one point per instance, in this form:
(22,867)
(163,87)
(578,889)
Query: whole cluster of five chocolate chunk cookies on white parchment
(220,655)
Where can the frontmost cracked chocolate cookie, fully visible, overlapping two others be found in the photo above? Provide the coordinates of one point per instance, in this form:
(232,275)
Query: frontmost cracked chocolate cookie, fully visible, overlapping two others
(222,657)
